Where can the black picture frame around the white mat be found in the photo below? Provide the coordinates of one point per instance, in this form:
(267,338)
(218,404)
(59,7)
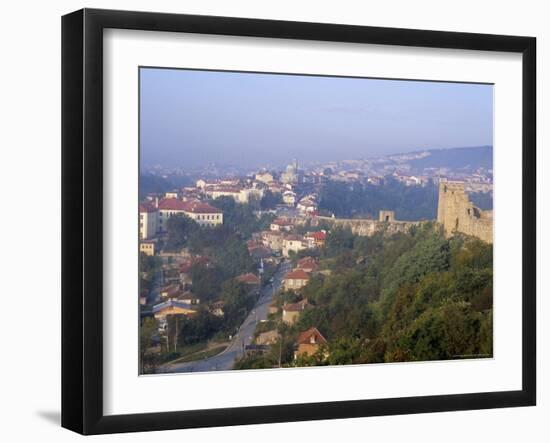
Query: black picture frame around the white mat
(82,215)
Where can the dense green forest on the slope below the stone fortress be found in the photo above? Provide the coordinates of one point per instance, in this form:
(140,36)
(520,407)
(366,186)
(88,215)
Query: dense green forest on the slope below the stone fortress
(408,297)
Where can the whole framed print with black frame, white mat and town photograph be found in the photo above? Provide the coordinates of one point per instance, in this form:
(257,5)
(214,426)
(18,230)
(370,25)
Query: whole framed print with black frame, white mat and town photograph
(269,221)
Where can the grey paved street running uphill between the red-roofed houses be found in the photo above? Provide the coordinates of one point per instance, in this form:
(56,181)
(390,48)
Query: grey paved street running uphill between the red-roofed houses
(226,359)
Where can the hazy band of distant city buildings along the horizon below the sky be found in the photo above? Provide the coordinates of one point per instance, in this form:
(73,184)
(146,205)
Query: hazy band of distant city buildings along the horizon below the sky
(410,168)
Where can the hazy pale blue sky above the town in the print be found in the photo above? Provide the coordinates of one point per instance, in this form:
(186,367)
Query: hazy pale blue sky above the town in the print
(192,118)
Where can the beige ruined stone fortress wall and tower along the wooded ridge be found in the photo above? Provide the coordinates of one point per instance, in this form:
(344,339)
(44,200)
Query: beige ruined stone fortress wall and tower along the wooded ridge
(455,212)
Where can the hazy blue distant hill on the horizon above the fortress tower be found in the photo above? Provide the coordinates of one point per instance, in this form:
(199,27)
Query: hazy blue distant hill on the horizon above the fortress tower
(456,158)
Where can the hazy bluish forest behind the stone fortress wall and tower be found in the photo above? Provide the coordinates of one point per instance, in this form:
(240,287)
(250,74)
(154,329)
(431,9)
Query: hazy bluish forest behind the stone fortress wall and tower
(409,202)
